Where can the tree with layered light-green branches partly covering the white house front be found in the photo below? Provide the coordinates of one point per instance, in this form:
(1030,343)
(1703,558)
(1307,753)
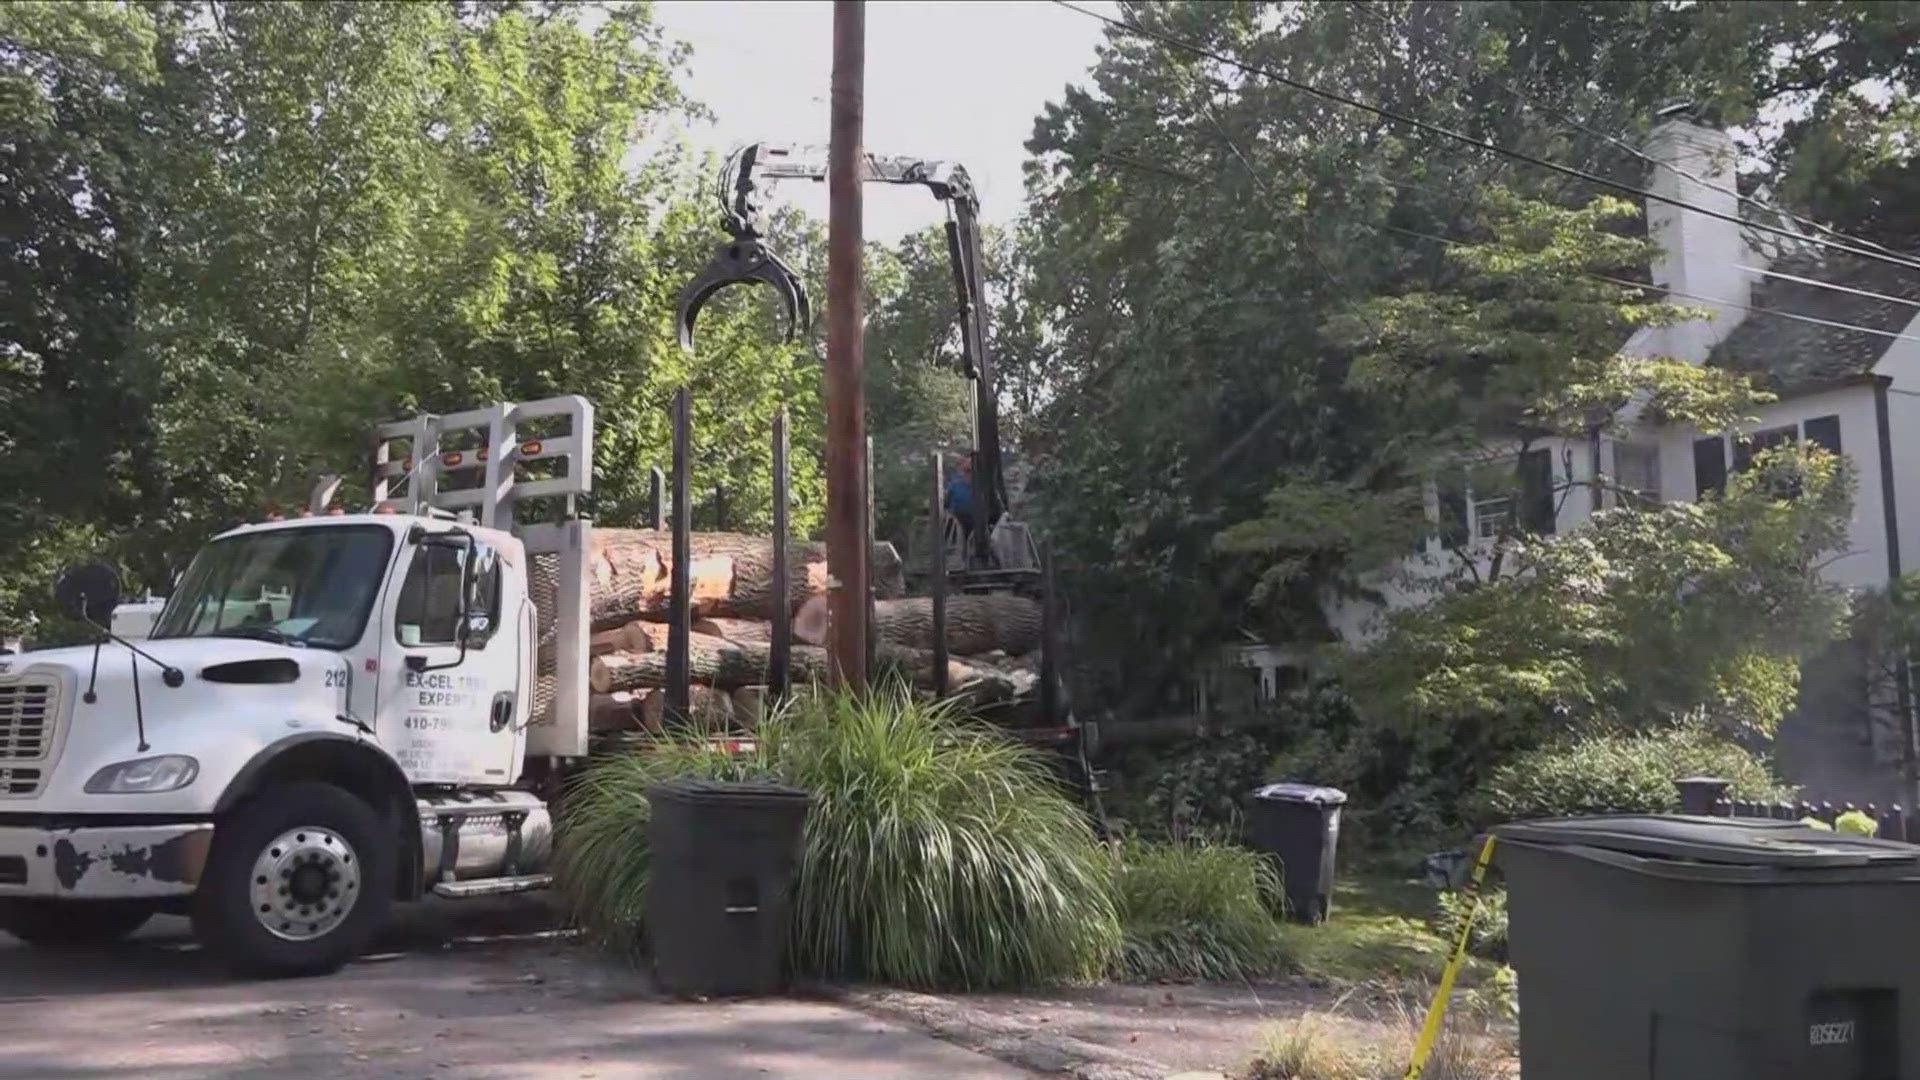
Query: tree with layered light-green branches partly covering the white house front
(1508,355)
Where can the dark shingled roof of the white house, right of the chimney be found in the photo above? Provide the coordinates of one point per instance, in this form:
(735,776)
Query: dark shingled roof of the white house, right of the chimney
(1792,355)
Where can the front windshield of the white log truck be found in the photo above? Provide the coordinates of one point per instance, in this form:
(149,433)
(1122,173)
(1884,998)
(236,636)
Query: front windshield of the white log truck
(308,587)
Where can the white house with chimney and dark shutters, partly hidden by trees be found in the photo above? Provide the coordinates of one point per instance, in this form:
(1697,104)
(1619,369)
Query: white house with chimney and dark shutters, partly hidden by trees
(1835,335)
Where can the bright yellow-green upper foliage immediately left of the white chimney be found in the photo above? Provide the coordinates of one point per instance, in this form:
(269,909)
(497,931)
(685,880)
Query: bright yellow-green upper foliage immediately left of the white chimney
(1520,337)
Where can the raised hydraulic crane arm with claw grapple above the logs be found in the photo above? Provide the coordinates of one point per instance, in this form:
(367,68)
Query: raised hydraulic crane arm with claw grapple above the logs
(746,184)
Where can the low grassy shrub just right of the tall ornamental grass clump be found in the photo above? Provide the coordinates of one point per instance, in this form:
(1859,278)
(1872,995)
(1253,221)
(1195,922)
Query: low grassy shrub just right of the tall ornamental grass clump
(1197,912)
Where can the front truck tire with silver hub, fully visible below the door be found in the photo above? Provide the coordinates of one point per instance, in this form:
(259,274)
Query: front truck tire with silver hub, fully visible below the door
(297,883)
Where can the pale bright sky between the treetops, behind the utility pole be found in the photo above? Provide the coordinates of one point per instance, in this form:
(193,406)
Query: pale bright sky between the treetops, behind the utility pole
(953,82)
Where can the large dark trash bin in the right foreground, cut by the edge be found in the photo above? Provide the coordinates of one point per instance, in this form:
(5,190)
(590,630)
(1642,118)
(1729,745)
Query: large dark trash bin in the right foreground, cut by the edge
(1698,948)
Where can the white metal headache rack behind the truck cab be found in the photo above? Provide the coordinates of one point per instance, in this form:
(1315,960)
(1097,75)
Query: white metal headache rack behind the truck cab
(496,466)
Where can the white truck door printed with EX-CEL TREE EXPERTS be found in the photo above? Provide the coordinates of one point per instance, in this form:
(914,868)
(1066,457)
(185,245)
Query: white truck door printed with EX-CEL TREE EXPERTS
(450,712)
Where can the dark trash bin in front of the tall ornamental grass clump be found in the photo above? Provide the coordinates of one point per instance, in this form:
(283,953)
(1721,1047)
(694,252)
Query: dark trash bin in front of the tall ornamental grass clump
(721,885)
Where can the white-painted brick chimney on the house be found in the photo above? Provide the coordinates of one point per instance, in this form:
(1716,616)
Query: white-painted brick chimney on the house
(1700,255)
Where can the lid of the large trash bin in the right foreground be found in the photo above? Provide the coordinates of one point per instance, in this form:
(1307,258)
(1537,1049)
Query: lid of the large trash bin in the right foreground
(1721,841)
